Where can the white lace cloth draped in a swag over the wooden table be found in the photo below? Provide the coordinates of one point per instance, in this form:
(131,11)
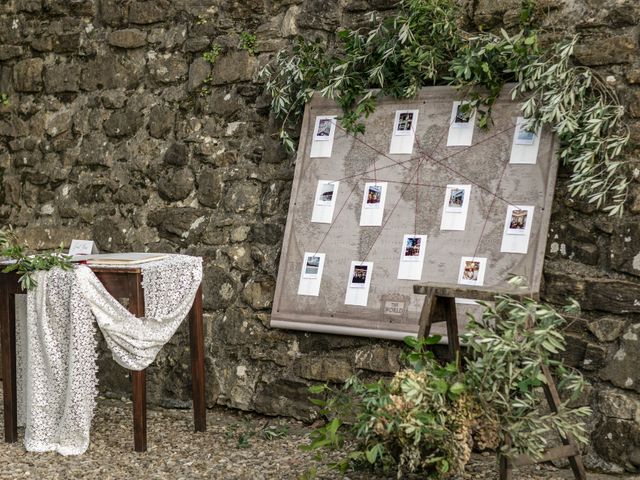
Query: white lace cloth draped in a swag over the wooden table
(56,348)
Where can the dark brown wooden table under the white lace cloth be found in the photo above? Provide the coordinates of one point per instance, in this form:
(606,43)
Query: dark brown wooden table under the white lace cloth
(121,282)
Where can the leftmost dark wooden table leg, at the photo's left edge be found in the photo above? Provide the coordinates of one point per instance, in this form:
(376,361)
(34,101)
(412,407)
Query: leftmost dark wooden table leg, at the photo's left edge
(8,334)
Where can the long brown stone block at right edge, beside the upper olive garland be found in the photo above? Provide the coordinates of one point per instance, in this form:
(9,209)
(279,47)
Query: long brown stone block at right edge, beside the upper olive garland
(607,50)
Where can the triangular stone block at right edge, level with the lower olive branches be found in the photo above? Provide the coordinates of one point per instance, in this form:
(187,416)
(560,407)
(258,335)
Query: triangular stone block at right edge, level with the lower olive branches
(622,370)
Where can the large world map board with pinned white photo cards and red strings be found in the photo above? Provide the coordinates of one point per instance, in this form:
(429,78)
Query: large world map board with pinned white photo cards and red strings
(424,195)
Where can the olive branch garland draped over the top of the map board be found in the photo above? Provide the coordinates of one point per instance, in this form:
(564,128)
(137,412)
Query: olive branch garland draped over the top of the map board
(422,44)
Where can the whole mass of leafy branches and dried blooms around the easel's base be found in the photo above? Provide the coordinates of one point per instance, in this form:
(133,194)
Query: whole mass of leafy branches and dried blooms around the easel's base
(423,420)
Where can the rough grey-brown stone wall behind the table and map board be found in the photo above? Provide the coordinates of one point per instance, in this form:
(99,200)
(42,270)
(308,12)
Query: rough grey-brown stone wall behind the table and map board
(119,131)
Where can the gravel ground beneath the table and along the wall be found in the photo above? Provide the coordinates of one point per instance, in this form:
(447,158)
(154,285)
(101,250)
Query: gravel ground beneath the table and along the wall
(236,445)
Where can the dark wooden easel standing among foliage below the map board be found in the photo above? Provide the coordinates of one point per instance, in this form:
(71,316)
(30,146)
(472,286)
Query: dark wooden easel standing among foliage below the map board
(439,306)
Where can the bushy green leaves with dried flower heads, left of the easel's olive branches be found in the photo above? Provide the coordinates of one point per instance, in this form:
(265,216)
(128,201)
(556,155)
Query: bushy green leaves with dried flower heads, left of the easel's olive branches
(419,422)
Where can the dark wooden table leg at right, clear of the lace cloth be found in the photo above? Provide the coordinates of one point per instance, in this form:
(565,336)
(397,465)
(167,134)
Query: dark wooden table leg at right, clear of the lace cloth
(196,335)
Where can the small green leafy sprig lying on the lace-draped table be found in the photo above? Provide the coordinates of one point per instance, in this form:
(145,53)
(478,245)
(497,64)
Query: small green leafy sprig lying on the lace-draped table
(26,265)
